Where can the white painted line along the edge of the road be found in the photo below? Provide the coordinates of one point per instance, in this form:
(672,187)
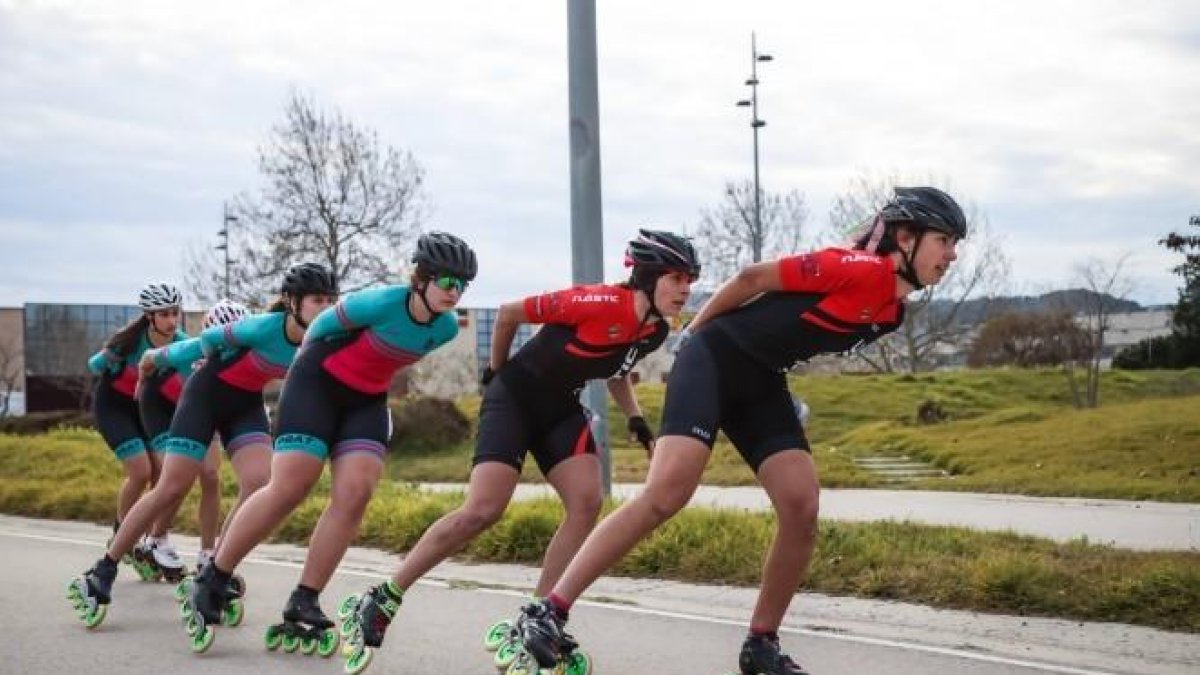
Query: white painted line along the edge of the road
(665,614)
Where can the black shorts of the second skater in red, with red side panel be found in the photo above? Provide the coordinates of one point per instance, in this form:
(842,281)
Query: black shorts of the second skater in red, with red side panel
(554,429)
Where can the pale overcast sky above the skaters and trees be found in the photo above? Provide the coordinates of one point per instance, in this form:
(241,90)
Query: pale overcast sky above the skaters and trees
(1073,126)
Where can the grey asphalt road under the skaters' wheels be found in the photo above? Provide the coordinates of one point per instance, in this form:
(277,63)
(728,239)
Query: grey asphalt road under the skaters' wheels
(439,630)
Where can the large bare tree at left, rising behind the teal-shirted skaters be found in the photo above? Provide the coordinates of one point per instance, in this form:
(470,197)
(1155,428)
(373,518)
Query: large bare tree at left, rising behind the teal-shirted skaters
(333,194)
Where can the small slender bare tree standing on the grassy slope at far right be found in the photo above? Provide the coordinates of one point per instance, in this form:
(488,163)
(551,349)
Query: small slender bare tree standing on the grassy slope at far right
(1107,286)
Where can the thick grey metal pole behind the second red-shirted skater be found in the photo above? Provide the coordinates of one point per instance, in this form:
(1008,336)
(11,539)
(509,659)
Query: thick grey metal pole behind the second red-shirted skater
(587,224)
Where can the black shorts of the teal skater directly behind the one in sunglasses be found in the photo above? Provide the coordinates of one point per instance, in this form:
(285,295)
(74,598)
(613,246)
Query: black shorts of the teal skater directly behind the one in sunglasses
(211,405)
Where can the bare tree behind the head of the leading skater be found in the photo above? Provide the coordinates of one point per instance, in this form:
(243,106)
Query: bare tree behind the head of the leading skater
(934,321)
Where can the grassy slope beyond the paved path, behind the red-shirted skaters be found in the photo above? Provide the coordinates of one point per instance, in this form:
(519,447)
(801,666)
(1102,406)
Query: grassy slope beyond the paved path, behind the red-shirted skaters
(1009,432)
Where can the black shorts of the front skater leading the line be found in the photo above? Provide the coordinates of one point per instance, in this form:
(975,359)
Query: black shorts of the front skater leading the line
(716,385)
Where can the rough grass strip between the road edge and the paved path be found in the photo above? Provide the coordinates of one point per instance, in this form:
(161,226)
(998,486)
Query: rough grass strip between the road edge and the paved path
(64,475)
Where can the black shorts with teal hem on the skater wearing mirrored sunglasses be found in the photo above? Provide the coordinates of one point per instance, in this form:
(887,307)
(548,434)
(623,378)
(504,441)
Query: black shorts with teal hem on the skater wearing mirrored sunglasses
(322,416)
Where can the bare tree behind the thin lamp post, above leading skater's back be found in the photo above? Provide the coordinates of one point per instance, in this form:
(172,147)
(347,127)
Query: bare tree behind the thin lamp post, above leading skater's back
(729,237)
